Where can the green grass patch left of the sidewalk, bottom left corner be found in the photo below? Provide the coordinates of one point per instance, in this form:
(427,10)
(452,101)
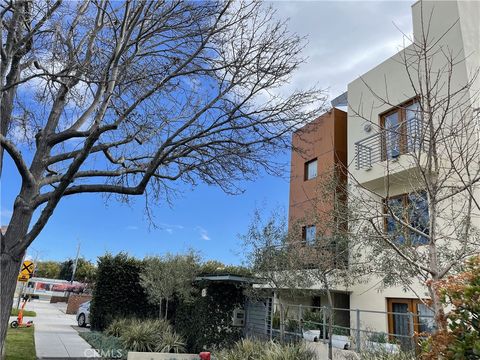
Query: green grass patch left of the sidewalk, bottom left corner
(20,344)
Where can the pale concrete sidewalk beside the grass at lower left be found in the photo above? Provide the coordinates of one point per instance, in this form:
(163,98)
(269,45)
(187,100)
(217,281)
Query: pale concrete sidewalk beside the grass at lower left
(54,336)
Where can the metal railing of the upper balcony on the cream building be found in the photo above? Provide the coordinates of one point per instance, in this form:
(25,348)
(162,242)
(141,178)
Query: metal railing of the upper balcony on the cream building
(389,144)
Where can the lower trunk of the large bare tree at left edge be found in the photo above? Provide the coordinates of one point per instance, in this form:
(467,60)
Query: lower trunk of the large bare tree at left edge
(9,268)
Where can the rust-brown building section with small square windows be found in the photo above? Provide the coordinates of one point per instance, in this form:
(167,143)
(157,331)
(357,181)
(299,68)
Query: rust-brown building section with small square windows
(319,155)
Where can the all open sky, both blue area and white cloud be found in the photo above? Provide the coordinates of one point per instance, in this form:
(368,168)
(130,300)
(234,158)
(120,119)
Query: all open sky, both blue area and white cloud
(341,47)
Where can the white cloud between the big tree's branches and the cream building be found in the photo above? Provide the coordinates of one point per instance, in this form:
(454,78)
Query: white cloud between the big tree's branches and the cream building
(345,38)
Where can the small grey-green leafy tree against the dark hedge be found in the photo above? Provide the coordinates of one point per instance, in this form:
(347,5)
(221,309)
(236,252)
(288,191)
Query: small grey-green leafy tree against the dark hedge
(169,275)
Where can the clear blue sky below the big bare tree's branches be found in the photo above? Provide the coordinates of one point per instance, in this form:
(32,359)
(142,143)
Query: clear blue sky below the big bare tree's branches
(203,218)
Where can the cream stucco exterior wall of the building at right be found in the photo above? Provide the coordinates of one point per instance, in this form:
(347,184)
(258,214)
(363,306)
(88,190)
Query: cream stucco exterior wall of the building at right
(389,80)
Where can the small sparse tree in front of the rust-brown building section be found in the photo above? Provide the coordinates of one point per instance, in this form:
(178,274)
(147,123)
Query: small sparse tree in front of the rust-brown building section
(333,257)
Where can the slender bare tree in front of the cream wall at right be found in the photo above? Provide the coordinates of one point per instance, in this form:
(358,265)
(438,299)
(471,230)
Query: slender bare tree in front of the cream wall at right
(434,154)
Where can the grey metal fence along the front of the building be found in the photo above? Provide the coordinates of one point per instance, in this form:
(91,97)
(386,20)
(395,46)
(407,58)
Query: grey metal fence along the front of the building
(351,328)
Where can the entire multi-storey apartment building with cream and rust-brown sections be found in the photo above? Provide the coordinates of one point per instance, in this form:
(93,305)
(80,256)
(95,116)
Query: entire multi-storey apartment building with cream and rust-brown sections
(376,139)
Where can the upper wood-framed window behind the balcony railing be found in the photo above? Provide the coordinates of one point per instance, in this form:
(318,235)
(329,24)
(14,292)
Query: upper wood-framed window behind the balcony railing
(402,130)
